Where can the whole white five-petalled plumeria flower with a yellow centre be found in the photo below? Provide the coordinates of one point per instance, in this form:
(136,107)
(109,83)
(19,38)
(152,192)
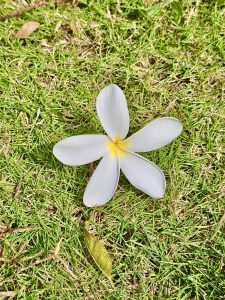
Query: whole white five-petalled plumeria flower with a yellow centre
(117,151)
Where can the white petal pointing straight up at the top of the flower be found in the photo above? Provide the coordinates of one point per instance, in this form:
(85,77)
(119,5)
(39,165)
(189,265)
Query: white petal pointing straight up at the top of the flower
(112,111)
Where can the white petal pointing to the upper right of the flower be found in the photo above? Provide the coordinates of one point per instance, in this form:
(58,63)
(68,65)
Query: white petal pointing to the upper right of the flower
(156,134)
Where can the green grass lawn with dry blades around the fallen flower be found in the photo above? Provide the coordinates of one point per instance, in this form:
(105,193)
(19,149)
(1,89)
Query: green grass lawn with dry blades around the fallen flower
(168,57)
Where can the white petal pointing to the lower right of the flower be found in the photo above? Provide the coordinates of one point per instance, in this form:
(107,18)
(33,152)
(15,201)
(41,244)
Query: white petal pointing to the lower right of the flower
(143,174)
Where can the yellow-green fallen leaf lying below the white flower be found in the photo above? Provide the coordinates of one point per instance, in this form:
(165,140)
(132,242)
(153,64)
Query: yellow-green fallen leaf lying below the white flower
(98,252)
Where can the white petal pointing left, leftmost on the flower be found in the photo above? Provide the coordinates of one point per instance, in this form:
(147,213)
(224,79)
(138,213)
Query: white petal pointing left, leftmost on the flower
(81,149)
